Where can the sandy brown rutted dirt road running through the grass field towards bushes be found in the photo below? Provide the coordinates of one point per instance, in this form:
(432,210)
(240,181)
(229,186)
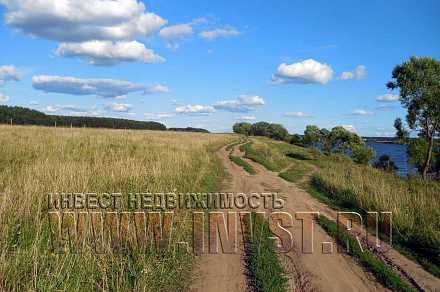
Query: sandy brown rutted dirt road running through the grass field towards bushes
(307,272)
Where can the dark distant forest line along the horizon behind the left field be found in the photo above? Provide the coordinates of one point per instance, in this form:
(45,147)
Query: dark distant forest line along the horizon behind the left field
(26,116)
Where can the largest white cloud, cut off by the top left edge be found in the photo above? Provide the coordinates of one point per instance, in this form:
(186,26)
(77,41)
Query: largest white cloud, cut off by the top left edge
(79,21)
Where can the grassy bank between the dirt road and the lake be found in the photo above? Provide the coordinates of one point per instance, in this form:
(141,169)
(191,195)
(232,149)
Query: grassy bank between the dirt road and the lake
(342,184)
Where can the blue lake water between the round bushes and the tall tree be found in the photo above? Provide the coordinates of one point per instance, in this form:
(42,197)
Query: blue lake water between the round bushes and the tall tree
(398,154)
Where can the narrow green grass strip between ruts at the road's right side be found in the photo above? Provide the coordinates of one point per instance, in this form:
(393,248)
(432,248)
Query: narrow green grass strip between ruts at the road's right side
(381,271)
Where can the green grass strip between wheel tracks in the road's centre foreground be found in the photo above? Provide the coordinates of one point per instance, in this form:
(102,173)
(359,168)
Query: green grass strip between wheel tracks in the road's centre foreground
(265,268)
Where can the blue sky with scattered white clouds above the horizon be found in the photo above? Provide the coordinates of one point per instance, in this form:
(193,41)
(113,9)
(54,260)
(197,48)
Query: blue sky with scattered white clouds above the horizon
(210,64)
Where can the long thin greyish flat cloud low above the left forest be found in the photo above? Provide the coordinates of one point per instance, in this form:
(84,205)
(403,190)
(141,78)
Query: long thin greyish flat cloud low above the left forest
(107,88)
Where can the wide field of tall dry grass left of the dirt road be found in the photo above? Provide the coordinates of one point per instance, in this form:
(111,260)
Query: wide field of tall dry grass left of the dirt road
(36,161)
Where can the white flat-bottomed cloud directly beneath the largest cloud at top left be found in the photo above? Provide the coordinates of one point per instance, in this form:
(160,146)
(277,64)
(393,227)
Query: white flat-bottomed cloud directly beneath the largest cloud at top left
(109,52)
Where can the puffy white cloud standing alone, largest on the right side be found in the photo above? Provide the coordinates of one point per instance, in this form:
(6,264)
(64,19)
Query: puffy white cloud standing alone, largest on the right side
(305,72)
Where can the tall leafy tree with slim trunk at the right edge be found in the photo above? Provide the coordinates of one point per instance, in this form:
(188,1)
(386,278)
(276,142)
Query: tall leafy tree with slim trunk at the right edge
(419,83)
